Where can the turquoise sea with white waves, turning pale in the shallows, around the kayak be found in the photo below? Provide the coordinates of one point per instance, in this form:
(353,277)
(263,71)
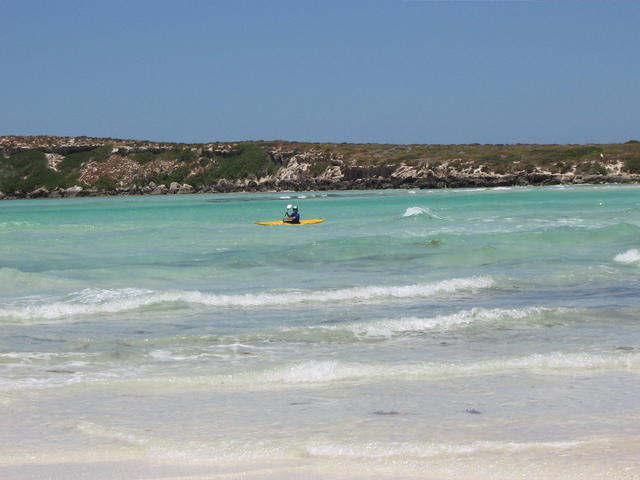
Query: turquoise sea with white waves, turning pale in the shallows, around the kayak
(426,334)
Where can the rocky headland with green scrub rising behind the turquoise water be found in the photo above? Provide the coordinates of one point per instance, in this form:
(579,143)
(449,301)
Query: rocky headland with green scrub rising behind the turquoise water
(56,167)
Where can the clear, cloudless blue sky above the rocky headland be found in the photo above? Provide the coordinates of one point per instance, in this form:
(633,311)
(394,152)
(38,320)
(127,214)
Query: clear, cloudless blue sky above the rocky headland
(375,71)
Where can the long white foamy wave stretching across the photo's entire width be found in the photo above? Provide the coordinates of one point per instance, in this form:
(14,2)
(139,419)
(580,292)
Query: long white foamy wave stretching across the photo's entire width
(321,373)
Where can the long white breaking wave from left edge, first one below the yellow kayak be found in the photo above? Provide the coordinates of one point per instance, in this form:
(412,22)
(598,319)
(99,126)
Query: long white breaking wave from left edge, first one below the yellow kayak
(97,301)
